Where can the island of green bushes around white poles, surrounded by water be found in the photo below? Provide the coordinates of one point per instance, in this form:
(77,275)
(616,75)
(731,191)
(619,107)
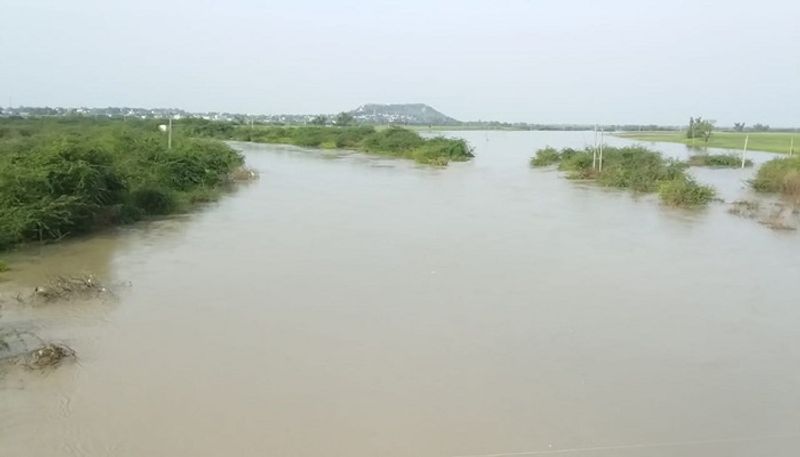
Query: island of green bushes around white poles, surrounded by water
(635,168)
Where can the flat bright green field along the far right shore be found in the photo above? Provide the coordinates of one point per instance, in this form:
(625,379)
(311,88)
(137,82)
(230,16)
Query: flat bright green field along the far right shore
(759,141)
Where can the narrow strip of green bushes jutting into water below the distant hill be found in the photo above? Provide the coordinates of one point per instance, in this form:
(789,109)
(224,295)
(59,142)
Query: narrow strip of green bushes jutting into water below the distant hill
(392,141)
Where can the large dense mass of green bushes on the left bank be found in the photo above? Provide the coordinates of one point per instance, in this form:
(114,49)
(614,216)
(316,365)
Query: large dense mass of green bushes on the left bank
(61,177)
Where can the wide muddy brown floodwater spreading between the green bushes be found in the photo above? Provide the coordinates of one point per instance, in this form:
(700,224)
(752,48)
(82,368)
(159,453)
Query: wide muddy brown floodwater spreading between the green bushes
(351,306)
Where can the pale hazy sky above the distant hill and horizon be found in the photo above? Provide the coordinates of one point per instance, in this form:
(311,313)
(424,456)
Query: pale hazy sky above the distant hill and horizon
(515,60)
